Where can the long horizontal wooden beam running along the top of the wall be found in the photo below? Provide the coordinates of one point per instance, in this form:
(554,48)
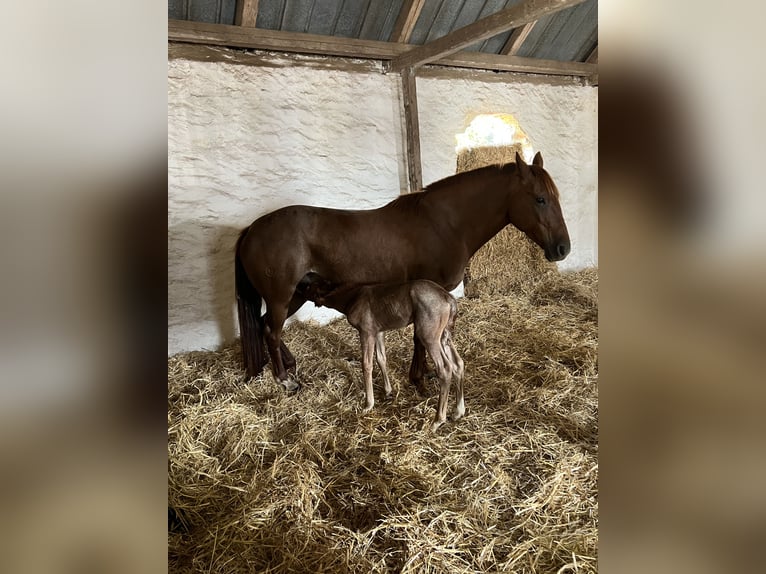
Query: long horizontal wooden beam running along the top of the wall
(272,40)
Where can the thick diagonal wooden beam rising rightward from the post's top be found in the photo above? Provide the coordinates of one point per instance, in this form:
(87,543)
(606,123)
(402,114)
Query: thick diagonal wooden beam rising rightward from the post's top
(517,15)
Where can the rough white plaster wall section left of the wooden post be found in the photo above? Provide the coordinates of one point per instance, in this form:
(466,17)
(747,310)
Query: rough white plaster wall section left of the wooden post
(245,140)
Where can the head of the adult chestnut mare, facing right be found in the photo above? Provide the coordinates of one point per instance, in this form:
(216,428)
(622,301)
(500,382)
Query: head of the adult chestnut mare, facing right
(534,208)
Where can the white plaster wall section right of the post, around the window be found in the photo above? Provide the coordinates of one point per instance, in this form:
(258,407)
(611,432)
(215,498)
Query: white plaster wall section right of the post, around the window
(561,122)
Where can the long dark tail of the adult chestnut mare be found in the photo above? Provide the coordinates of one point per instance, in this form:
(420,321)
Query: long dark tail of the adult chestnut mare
(250,320)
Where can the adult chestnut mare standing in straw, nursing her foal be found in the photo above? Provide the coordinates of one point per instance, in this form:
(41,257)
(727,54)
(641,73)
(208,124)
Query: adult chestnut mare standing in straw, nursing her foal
(427,235)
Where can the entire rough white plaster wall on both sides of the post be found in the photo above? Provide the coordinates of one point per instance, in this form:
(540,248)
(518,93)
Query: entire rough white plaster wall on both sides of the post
(244,140)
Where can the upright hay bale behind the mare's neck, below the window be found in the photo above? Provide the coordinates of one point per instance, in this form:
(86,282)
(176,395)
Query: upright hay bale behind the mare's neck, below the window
(509,261)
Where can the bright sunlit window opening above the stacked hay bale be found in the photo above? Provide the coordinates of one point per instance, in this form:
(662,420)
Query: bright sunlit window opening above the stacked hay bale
(494,131)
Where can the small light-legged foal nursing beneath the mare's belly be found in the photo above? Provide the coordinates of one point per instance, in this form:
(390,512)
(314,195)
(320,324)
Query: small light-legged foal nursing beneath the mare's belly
(373,309)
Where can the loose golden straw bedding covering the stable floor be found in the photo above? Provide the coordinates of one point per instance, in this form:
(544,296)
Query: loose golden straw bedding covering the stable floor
(263,481)
